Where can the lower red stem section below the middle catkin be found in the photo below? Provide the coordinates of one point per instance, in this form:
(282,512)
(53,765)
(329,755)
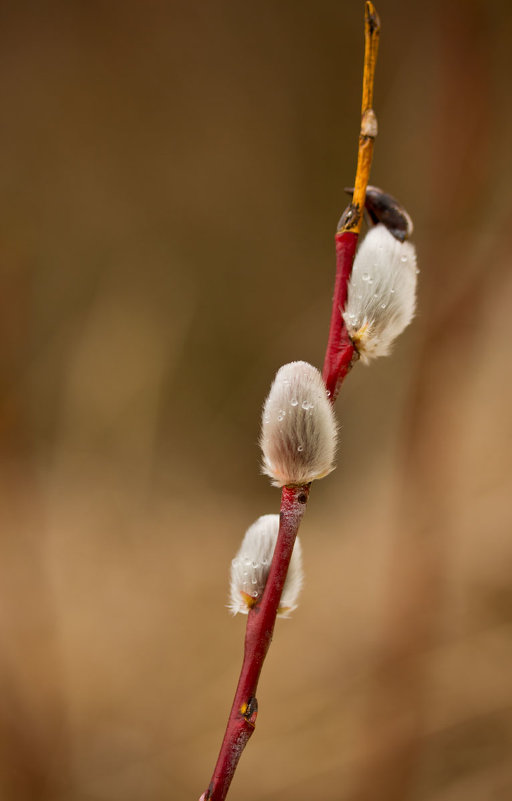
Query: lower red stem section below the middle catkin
(258,636)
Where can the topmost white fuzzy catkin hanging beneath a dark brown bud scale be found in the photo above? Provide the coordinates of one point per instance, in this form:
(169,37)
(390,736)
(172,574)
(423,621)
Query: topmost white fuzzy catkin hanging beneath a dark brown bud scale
(381,293)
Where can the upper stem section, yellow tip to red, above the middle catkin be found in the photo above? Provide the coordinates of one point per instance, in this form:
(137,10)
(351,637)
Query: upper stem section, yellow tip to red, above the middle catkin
(340,353)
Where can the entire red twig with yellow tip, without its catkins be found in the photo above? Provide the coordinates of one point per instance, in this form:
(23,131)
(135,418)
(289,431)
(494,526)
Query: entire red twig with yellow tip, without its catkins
(338,360)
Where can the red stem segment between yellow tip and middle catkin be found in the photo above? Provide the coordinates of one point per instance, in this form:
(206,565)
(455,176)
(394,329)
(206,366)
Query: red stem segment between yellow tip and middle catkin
(340,350)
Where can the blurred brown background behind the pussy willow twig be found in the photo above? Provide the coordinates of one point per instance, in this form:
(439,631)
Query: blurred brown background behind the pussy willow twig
(172,174)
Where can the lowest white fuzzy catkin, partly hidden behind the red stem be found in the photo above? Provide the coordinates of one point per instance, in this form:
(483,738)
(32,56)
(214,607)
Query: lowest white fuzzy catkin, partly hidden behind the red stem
(251,566)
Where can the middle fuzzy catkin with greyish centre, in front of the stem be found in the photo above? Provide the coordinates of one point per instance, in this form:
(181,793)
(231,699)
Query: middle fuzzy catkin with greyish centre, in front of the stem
(298,431)
